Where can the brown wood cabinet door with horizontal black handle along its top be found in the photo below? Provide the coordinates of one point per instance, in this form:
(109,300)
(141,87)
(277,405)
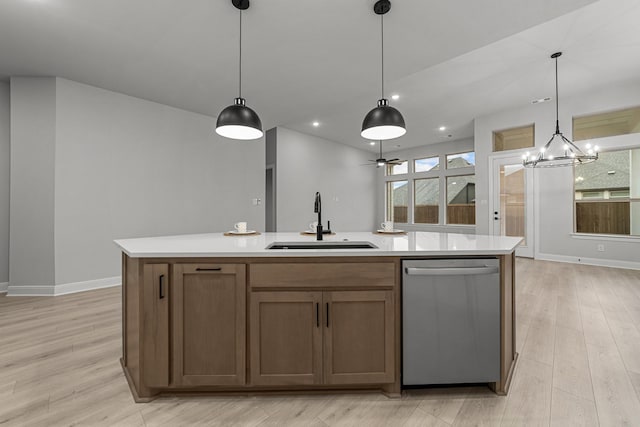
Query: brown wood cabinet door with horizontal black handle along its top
(209,331)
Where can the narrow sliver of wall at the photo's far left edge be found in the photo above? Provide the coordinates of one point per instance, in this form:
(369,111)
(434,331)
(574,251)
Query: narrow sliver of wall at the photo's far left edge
(5,175)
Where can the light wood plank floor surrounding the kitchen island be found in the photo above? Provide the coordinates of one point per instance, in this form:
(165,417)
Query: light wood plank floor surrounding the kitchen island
(578,334)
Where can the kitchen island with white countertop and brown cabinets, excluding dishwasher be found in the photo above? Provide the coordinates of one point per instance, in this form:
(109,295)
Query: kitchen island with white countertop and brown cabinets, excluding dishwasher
(209,313)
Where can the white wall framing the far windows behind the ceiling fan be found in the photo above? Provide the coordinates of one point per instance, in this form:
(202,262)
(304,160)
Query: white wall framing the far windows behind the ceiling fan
(424,151)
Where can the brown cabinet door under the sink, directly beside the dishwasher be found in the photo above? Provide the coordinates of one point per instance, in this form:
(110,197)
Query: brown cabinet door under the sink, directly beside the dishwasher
(359,337)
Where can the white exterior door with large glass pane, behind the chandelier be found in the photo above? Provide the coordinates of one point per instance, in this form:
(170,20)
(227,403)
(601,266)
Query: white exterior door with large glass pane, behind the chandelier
(512,202)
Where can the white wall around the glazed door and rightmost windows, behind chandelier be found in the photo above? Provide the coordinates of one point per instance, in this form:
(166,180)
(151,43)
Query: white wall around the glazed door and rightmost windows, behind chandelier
(553,188)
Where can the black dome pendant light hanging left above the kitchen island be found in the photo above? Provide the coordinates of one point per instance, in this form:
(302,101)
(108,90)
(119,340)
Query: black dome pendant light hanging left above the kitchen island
(238,121)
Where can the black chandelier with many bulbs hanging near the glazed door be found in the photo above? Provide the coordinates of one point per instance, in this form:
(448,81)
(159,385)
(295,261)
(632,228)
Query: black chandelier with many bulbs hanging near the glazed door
(559,151)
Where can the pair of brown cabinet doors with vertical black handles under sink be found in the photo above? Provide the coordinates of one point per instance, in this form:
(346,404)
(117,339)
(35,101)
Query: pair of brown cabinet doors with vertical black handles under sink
(331,337)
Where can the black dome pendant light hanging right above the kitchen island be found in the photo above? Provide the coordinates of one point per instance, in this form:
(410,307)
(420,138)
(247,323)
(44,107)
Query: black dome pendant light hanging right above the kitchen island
(384,121)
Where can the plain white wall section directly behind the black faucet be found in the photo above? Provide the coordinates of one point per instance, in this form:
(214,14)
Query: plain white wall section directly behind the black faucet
(306,164)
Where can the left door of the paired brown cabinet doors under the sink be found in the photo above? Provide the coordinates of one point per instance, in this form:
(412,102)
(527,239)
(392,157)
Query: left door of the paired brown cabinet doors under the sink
(286,338)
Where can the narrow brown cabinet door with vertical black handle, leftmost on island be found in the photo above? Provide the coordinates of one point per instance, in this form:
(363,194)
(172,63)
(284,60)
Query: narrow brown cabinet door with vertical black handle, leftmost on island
(155,325)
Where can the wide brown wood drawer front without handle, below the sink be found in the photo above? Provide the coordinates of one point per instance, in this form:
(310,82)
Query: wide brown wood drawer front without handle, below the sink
(322,275)
